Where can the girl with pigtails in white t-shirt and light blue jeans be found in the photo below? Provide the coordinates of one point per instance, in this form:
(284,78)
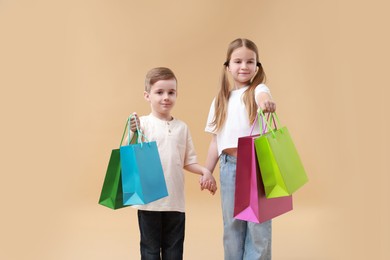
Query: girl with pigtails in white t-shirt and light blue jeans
(231,115)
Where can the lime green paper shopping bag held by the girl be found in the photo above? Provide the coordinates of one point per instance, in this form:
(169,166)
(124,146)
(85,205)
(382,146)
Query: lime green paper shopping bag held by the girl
(280,165)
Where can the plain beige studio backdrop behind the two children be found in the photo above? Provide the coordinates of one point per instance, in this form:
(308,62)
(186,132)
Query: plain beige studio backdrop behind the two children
(72,71)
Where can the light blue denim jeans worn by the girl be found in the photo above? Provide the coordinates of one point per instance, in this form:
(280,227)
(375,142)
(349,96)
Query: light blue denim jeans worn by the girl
(242,240)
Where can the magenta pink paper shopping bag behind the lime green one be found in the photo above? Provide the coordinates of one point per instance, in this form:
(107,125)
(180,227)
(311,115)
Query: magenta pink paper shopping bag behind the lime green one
(250,202)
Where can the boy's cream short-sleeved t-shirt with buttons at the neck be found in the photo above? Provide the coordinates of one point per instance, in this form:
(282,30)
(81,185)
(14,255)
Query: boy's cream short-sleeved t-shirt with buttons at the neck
(176,150)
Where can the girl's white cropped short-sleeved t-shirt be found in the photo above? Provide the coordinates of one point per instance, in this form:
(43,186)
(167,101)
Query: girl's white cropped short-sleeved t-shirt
(237,120)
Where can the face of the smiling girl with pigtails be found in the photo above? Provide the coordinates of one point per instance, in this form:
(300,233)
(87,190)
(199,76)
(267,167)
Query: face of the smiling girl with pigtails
(242,66)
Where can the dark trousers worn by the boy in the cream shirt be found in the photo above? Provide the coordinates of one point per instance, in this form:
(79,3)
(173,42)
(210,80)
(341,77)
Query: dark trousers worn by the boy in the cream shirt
(162,234)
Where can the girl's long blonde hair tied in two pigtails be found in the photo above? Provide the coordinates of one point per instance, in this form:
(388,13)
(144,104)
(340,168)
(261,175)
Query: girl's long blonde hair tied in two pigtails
(222,98)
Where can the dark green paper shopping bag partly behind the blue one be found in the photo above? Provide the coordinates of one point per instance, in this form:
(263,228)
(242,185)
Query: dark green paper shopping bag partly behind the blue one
(111,195)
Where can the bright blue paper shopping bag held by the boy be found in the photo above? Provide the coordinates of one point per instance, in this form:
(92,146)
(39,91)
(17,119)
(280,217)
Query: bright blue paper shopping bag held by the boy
(143,178)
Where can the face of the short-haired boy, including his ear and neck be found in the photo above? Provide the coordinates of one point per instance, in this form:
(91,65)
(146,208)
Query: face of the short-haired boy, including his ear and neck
(162,98)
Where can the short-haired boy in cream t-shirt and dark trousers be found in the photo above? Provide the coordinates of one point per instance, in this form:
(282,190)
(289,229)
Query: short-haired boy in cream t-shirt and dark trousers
(162,222)
